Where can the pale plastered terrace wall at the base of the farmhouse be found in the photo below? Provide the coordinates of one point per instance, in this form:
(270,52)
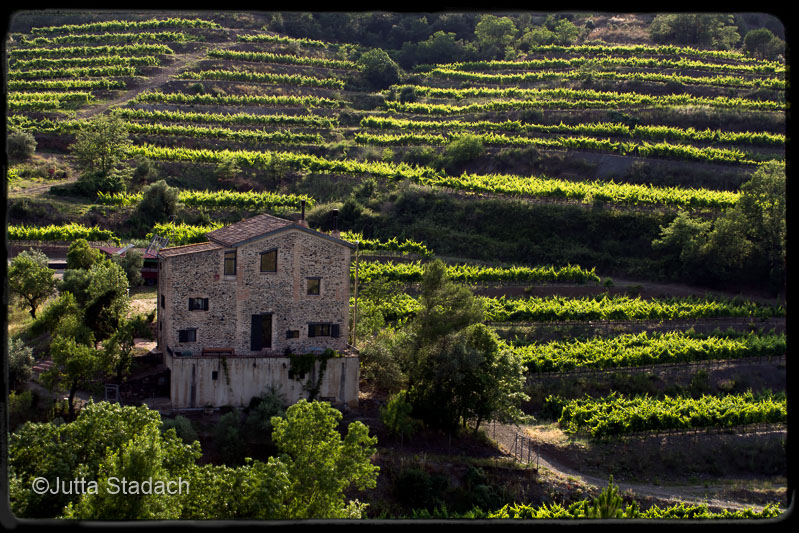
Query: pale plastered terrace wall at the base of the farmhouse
(234,381)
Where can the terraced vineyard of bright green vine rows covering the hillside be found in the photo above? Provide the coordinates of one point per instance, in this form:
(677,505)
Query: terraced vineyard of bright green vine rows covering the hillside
(557,166)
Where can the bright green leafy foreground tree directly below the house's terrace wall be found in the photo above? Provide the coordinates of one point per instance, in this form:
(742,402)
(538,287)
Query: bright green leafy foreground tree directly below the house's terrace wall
(320,464)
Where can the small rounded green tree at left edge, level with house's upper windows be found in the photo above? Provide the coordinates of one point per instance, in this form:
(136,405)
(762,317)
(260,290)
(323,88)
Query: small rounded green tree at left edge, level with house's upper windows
(31,279)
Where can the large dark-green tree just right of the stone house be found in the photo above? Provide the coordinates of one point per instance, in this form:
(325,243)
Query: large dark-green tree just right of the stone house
(455,368)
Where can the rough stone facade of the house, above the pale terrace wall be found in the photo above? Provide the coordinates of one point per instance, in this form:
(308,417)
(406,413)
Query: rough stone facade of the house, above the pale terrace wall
(233,300)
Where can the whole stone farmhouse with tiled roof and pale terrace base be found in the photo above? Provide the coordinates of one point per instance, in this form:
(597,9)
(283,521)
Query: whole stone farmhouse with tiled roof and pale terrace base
(238,313)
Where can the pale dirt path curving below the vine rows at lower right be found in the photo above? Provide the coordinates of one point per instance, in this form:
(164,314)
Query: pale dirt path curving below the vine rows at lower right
(555,473)
